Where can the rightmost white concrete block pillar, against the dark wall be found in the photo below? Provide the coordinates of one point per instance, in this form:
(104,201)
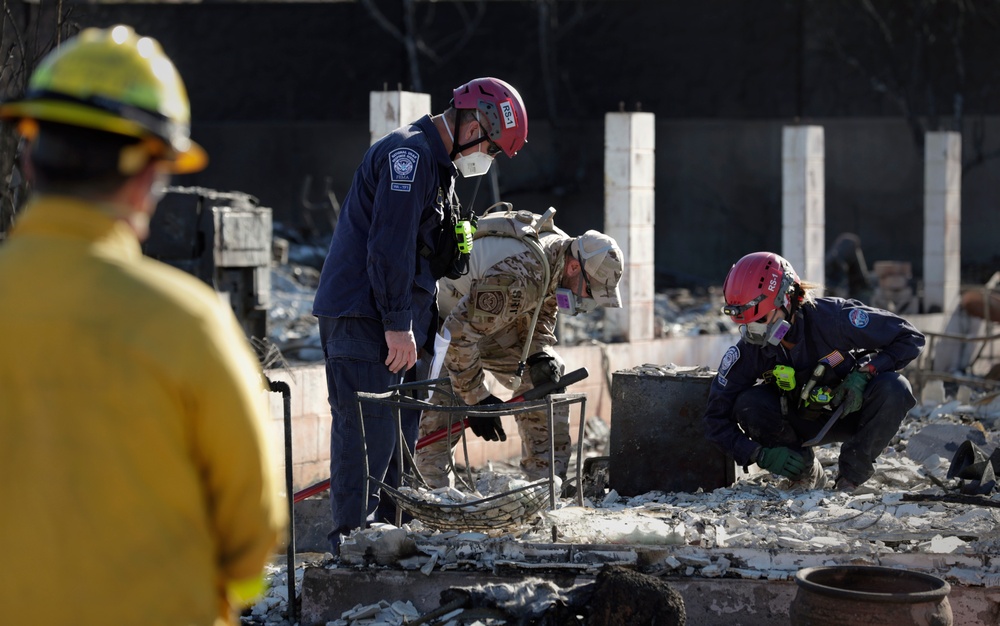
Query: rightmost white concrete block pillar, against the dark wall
(942,221)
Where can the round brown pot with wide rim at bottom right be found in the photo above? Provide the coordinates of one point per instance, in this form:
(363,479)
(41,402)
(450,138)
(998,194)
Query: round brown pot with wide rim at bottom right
(856,595)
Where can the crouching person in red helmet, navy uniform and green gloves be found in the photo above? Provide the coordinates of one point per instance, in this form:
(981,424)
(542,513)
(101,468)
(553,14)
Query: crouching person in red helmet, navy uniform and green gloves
(800,360)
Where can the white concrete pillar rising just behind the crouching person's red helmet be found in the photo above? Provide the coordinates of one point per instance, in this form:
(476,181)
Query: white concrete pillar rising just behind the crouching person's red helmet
(803,209)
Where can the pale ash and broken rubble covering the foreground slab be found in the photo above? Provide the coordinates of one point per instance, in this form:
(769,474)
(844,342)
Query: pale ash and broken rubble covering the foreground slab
(755,529)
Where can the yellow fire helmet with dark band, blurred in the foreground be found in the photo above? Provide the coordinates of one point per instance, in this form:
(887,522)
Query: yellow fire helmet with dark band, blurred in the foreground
(116,81)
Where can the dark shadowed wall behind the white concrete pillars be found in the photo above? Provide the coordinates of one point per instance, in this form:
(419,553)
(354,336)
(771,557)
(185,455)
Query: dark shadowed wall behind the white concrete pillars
(280,95)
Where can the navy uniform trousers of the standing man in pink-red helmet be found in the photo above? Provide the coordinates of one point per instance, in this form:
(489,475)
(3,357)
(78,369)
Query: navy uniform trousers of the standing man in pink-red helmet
(355,352)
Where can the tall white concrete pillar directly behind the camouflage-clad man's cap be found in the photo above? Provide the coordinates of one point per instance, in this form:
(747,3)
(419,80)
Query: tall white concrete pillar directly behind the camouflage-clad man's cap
(629,142)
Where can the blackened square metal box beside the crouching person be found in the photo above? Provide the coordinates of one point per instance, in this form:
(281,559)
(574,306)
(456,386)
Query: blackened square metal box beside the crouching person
(657,440)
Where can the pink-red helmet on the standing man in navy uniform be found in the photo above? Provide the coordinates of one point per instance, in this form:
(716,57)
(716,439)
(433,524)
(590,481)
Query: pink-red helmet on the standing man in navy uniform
(502,107)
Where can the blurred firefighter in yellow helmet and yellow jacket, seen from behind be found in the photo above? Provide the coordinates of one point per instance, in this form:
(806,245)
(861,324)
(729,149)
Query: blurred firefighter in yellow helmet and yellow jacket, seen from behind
(132,409)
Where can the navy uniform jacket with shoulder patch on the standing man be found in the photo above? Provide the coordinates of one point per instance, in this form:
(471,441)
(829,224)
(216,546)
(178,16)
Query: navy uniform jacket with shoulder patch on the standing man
(393,209)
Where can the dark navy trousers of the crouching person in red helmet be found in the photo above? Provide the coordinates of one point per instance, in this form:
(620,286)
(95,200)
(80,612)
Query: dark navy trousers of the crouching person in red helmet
(864,433)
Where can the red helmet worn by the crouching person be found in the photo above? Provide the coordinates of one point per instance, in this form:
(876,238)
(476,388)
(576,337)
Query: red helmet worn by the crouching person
(757,284)
